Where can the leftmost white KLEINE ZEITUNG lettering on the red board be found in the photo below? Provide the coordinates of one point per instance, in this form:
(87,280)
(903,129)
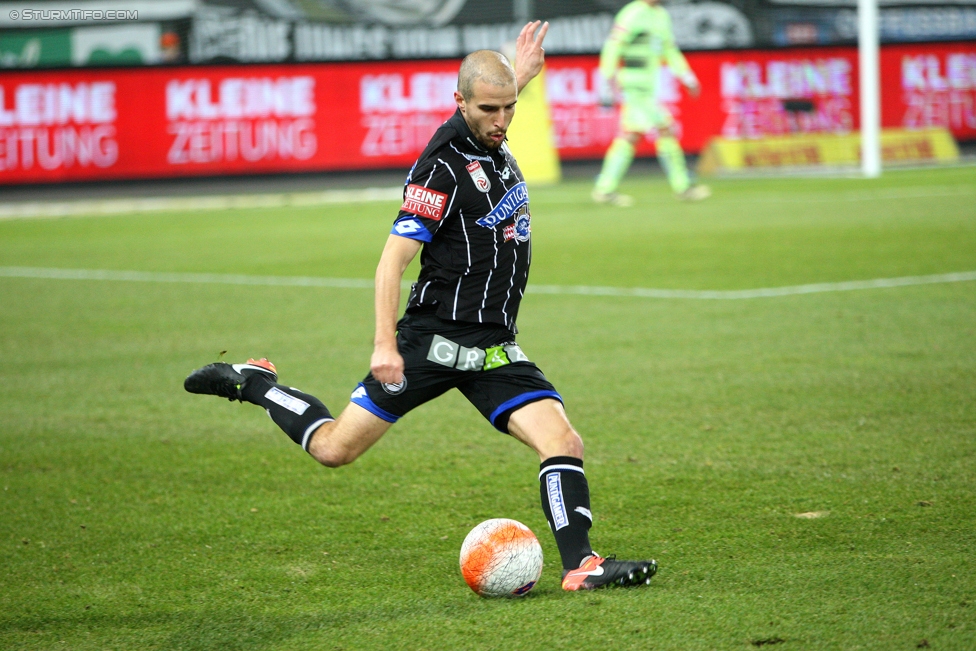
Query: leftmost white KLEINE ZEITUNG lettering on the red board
(57,126)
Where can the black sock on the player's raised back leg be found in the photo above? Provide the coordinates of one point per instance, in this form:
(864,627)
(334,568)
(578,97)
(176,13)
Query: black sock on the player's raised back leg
(297,413)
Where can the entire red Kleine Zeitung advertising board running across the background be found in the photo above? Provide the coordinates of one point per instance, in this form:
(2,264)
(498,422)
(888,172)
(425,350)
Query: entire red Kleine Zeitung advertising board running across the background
(164,122)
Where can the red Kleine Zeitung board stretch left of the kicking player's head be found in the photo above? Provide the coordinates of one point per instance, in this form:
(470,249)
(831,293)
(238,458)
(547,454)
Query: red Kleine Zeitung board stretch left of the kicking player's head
(71,125)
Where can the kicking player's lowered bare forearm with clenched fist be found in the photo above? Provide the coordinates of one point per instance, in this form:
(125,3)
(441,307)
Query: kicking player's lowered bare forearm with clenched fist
(386,363)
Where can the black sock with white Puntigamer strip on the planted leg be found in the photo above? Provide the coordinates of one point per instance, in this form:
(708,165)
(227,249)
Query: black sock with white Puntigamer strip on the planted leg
(566,502)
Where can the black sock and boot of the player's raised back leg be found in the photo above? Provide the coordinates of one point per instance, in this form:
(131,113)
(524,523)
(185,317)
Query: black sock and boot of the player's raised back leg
(256,381)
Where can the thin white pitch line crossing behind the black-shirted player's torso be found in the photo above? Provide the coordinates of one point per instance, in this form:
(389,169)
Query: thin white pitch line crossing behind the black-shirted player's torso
(577,290)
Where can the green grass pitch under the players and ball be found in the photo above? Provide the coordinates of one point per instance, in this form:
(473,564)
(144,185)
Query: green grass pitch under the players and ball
(134,516)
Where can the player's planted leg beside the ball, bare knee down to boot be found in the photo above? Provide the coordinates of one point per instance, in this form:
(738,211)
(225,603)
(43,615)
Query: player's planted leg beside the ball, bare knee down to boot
(544,427)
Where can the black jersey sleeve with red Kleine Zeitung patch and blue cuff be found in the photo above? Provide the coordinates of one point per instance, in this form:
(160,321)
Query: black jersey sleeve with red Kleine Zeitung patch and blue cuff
(428,199)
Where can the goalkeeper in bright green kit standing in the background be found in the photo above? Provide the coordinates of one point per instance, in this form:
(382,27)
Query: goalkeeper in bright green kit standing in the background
(640,41)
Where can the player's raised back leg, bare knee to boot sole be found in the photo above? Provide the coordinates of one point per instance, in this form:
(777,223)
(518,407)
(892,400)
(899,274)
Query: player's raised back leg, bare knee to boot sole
(330,441)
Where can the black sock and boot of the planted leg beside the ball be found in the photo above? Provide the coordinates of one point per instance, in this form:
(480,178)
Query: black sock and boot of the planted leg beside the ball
(566,502)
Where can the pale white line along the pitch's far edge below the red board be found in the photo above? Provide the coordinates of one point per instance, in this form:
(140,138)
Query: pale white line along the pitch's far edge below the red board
(102,207)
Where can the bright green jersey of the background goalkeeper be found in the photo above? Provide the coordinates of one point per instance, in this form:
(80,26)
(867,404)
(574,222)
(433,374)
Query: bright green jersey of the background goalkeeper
(640,41)
